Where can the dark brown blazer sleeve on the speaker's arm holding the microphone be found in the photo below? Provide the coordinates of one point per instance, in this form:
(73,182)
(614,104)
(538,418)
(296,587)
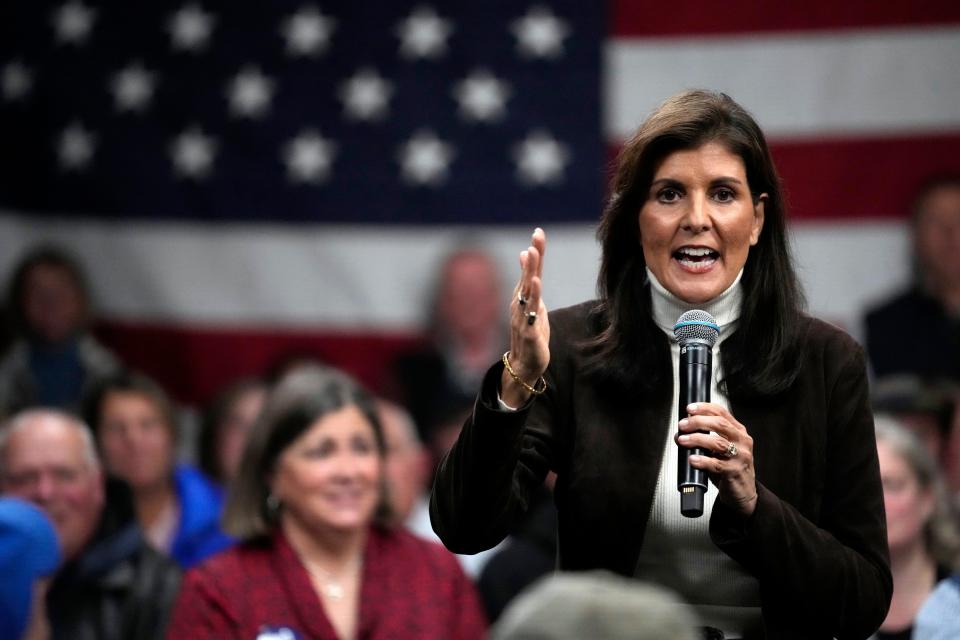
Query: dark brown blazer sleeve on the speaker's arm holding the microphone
(830,577)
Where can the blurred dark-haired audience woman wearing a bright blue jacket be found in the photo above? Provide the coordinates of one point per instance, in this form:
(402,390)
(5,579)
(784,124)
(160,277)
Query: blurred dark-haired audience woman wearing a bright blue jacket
(136,430)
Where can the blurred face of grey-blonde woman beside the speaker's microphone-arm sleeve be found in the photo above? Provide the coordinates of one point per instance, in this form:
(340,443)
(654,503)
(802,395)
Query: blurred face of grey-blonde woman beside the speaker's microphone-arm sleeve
(908,505)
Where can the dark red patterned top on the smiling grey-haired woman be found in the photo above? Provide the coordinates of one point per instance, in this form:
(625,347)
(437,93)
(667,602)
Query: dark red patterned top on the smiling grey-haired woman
(411,589)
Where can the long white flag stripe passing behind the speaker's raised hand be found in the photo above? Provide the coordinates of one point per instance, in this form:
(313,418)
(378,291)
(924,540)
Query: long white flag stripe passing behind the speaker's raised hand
(380,278)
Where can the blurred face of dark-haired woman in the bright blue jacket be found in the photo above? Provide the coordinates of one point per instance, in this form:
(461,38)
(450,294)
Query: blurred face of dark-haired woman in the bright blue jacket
(135,439)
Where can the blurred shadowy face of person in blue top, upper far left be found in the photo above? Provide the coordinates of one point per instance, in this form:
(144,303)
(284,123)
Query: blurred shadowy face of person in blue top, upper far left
(52,304)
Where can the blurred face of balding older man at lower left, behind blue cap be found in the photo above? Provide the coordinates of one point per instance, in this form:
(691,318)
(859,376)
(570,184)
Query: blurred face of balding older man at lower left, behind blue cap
(46,463)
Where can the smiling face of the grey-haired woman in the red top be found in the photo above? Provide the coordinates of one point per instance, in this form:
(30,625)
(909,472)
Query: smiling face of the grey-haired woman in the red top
(330,477)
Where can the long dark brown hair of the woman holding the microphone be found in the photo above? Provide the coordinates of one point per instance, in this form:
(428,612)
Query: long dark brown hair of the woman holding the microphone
(759,358)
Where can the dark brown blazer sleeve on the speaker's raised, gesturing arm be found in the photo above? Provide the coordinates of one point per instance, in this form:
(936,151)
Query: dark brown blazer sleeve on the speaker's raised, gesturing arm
(490,476)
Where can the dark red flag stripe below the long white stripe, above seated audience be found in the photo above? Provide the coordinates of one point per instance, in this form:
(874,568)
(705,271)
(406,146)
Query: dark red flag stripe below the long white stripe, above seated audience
(193,363)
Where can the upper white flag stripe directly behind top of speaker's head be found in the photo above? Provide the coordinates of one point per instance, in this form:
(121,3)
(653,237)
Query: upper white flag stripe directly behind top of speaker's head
(814,83)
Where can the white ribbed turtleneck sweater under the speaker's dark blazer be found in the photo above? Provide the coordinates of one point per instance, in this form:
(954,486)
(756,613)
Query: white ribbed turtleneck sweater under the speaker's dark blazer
(677,551)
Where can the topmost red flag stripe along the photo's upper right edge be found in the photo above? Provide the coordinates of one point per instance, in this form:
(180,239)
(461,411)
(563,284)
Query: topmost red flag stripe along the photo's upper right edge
(694,17)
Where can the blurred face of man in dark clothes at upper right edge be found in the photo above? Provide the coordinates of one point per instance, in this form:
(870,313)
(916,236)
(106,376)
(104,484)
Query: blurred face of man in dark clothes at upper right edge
(937,237)
